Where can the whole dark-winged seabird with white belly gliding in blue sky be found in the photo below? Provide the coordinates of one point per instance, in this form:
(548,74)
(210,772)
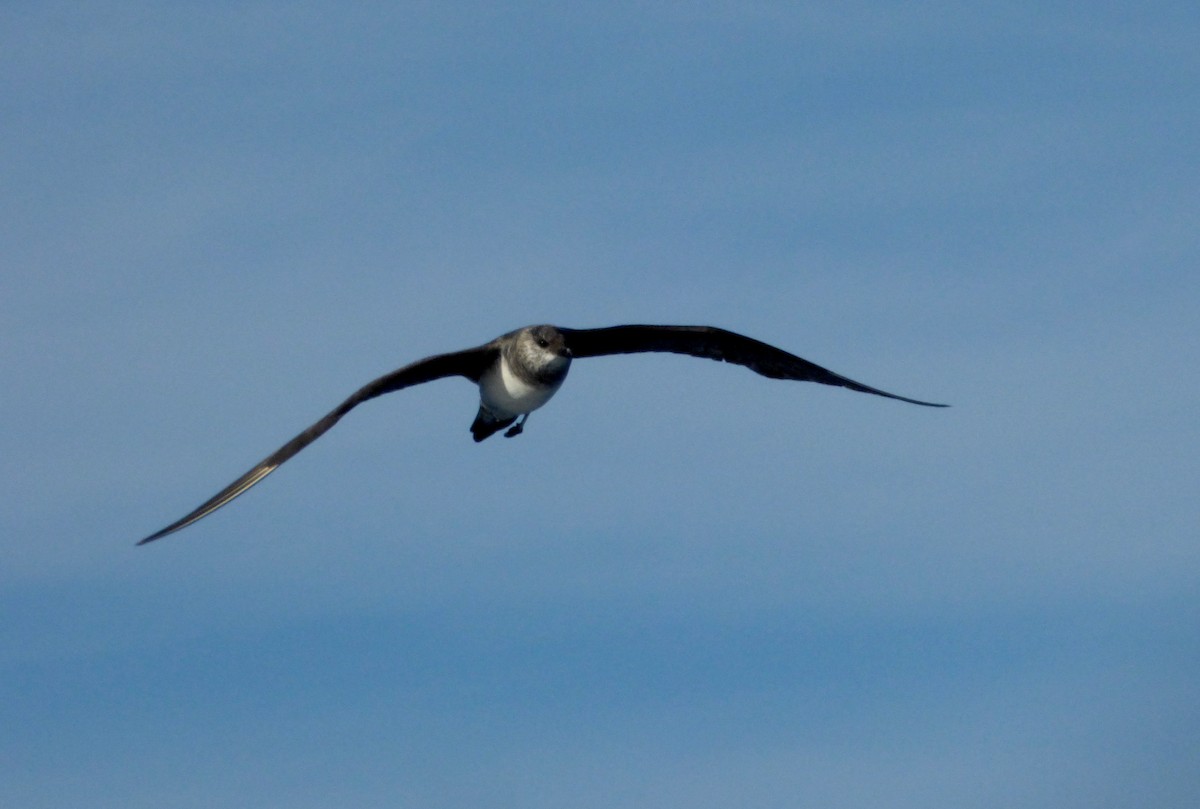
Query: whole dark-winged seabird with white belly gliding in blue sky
(520,371)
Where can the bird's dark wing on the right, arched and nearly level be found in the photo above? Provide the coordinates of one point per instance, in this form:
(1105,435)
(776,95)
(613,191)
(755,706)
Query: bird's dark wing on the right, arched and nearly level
(716,345)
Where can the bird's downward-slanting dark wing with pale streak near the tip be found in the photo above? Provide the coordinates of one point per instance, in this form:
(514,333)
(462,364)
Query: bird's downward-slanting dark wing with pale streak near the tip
(471,364)
